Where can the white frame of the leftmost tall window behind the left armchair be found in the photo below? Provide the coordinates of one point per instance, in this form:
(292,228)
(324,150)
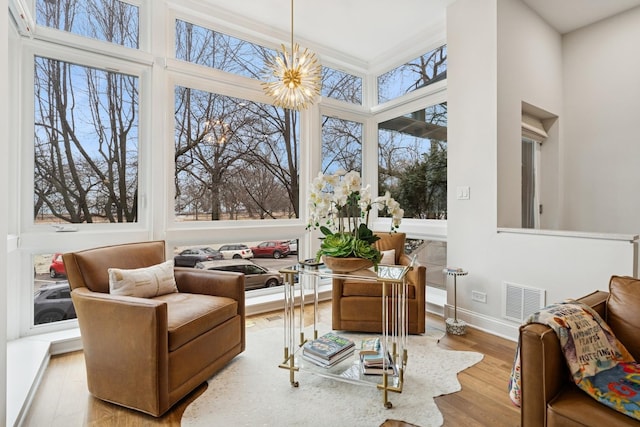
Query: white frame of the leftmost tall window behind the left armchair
(38,239)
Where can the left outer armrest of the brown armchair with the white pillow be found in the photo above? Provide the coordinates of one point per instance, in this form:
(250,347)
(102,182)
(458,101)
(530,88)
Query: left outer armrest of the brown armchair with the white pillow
(122,336)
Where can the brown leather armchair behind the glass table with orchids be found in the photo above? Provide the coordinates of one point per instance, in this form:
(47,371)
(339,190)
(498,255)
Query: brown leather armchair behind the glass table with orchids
(357,305)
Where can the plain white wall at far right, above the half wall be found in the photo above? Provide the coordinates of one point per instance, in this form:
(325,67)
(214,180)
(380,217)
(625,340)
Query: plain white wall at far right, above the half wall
(601,117)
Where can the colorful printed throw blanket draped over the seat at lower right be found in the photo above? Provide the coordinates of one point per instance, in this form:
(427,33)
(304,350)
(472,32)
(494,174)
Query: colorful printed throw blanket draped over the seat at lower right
(600,365)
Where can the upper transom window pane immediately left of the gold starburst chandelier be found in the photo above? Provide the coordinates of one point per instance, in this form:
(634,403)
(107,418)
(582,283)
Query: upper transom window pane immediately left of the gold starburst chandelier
(210,48)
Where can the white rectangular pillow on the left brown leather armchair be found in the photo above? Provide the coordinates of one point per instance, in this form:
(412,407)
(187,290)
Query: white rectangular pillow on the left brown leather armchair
(143,282)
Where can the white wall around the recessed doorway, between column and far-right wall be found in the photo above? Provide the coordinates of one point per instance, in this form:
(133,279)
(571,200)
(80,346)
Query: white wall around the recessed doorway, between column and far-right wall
(529,70)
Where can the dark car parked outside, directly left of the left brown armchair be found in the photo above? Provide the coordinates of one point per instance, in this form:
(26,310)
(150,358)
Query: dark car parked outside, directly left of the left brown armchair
(52,303)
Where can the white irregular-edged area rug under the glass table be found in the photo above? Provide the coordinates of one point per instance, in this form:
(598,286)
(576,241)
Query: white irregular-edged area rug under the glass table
(253,391)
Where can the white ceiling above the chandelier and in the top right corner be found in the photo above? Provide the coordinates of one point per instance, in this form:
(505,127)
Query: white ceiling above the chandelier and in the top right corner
(366,29)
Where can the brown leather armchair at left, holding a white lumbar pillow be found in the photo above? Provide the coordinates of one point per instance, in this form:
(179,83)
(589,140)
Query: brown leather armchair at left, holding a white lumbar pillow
(148,353)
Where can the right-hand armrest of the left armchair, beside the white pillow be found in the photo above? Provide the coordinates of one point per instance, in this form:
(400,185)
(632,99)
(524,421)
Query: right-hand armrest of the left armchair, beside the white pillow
(208,282)
